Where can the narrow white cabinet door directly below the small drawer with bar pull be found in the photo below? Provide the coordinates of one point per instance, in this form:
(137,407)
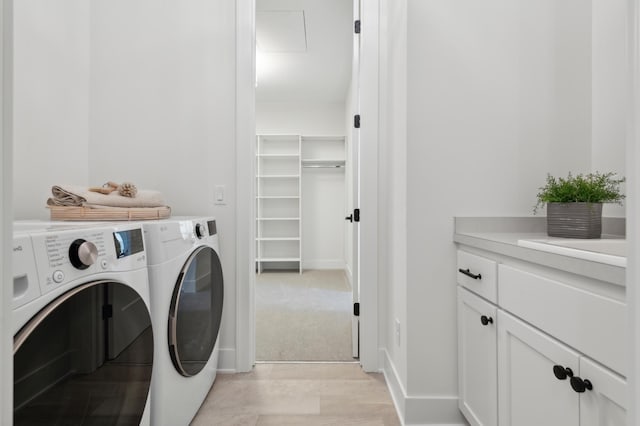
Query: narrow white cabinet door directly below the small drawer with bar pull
(477,359)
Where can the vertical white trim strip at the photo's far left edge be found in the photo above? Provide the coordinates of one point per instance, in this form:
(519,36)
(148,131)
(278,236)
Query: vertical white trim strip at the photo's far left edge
(6,212)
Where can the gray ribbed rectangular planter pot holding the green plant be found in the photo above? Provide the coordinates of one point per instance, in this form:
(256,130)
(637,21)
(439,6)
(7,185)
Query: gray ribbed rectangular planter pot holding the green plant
(574,220)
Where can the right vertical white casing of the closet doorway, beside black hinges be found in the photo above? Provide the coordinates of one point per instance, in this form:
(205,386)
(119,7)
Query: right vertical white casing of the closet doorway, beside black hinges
(369,111)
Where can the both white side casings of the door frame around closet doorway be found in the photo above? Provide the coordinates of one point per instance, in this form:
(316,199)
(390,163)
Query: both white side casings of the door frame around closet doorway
(245,185)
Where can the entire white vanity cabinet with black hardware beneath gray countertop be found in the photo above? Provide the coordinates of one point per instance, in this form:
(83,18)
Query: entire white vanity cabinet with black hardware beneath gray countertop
(557,347)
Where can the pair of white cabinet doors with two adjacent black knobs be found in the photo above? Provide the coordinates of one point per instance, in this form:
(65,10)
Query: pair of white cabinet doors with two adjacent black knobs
(584,394)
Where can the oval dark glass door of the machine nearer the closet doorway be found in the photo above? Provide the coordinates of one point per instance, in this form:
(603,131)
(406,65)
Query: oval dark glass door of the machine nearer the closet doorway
(196,311)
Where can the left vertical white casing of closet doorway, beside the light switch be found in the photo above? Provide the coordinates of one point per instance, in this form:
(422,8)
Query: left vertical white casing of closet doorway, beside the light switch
(245,185)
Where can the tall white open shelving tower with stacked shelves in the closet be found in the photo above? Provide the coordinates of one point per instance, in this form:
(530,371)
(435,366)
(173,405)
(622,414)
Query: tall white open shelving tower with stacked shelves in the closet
(278,202)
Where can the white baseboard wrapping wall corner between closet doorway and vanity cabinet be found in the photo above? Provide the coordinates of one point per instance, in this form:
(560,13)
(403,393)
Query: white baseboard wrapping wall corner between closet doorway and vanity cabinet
(420,410)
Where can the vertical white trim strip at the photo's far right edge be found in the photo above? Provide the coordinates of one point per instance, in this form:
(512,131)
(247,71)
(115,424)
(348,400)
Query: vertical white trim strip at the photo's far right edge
(633,209)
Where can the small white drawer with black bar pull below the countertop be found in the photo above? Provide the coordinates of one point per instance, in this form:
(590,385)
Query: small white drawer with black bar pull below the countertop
(478,274)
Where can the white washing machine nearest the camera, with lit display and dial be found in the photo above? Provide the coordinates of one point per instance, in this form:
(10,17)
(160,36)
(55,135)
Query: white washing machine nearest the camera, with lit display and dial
(83,340)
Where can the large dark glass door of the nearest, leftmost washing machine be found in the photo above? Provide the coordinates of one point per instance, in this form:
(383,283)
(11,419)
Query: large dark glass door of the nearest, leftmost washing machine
(66,371)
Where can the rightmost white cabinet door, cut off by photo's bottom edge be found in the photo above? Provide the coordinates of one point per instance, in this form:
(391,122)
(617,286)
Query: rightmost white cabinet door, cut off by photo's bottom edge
(605,404)
